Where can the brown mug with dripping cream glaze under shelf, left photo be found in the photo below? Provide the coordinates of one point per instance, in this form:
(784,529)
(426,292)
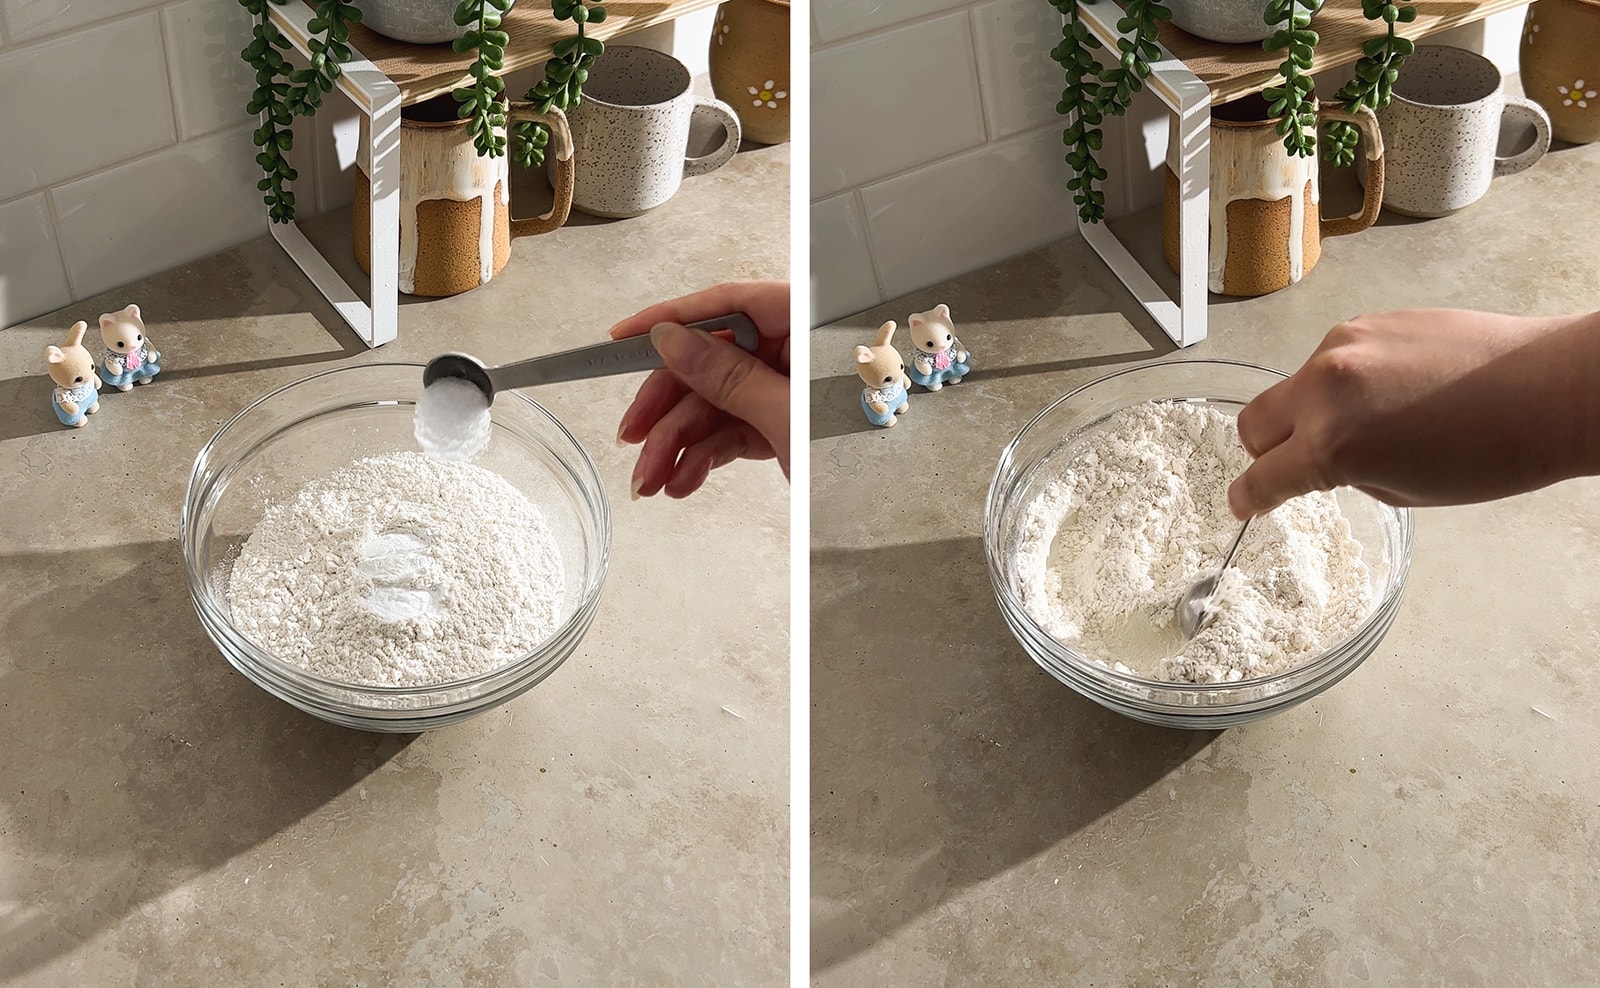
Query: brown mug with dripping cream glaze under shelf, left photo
(455,205)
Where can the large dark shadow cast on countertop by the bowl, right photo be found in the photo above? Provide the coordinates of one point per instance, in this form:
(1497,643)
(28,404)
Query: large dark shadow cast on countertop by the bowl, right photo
(938,767)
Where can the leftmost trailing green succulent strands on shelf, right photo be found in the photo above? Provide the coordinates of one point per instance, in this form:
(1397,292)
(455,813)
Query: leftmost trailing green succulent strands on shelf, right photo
(1094,94)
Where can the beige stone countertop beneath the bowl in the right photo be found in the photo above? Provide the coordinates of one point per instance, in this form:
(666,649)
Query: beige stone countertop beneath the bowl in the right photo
(1434,819)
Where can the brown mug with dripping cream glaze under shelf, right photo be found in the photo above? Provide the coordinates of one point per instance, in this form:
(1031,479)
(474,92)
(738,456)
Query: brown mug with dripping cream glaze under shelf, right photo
(1266,205)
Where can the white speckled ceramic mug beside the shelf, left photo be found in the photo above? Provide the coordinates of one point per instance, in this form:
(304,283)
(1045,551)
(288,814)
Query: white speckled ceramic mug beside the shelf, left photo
(631,133)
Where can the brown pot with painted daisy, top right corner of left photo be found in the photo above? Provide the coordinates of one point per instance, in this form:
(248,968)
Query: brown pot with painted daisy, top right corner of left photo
(750,66)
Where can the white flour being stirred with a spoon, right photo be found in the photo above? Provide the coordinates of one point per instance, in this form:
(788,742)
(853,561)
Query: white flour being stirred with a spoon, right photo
(1140,514)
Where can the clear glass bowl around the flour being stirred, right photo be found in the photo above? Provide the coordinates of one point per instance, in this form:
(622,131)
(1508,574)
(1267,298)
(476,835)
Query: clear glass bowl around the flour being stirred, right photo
(1055,437)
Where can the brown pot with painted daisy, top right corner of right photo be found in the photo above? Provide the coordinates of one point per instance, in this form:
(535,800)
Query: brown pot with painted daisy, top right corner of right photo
(1561,66)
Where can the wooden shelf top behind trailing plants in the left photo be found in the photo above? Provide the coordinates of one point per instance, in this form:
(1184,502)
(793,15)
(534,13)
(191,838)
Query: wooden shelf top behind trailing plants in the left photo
(426,71)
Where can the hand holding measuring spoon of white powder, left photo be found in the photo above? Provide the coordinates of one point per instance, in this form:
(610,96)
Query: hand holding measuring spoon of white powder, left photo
(713,404)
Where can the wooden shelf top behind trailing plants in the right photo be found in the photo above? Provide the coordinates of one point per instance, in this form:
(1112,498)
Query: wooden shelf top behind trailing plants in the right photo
(1233,71)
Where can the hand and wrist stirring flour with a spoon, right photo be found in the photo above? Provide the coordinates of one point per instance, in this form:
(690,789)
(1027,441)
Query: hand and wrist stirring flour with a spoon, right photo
(1430,407)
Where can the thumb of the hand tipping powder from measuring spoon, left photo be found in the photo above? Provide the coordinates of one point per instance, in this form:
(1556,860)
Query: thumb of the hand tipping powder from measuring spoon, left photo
(727,376)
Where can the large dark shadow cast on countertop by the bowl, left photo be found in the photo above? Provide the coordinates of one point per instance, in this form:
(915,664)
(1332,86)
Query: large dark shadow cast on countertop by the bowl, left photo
(134,755)
